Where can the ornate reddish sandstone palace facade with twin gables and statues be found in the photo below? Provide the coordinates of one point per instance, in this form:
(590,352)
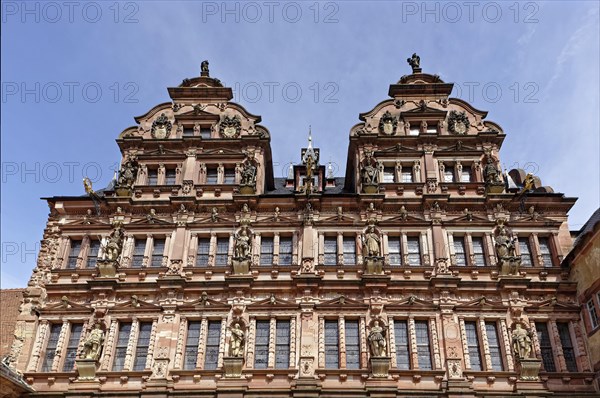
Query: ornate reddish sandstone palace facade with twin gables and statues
(423,271)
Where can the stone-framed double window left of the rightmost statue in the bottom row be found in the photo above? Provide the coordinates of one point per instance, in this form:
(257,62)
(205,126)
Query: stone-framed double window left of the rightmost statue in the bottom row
(485,357)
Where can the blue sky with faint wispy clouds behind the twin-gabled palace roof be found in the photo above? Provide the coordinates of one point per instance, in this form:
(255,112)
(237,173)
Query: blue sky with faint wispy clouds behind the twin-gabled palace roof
(75,74)
